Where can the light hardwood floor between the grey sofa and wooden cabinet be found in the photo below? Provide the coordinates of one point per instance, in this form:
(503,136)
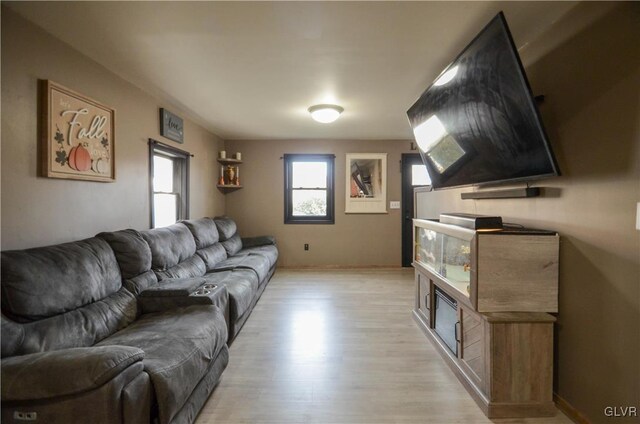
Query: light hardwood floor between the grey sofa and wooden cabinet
(339,346)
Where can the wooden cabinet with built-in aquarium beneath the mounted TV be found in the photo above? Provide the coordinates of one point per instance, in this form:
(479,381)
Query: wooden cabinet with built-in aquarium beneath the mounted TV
(483,298)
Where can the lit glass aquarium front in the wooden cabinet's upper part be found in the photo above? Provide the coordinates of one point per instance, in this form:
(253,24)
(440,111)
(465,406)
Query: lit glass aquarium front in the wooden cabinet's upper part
(445,255)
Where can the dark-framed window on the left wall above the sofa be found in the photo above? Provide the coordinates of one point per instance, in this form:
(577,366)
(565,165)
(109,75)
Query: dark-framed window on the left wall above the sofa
(169,184)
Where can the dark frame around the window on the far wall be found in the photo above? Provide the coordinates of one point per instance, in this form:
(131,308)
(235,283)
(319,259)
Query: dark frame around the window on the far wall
(329,159)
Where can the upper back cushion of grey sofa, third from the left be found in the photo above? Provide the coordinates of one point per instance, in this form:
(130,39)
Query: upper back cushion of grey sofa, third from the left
(169,245)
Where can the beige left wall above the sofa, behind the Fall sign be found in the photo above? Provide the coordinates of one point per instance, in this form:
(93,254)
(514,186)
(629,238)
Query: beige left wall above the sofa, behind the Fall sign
(38,211)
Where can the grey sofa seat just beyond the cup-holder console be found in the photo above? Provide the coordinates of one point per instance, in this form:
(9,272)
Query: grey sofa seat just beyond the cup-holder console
(242,285)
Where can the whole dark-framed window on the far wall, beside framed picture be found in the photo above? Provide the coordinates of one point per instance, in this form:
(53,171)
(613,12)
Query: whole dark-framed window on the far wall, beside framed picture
(308,195)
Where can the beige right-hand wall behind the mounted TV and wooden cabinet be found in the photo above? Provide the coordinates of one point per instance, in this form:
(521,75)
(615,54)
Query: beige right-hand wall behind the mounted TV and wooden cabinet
(592,114)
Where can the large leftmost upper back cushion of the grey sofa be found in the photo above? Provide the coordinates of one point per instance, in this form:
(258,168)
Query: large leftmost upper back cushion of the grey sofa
(46,281)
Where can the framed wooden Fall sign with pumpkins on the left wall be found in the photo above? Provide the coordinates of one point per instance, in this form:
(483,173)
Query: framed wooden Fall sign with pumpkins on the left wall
(77,136)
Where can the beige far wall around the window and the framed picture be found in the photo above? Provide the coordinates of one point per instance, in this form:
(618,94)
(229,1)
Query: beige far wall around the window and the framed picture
(354,240)
